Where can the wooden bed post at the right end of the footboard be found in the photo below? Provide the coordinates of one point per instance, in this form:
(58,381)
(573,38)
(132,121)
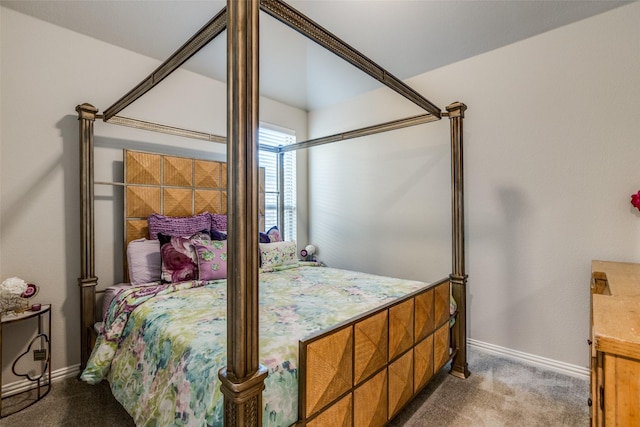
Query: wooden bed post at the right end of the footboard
(458,277)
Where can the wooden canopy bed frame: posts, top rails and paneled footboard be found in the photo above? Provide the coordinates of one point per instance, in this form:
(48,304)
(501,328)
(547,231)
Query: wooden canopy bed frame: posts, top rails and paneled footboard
(414,334)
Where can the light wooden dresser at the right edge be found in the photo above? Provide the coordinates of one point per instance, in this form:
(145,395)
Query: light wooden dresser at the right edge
(615,344)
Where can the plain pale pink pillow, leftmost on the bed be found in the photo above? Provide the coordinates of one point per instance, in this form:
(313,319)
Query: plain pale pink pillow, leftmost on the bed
(143,261)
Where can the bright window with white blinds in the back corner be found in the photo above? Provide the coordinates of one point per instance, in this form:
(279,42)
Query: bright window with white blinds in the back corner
(271,136)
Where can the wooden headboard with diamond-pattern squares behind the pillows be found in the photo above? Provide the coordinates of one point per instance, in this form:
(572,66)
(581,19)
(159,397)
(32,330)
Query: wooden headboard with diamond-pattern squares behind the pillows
(173,186)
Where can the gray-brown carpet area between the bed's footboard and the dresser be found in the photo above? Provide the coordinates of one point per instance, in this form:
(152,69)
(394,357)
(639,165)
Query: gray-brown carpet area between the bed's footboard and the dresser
(499,392)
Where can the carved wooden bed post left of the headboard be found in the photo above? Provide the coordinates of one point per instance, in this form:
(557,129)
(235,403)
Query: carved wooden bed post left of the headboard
(87,281)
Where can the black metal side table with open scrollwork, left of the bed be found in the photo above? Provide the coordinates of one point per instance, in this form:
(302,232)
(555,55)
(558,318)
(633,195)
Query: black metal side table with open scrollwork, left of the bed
(40,347)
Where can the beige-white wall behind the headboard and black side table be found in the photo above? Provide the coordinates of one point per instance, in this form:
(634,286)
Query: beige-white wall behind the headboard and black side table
(45,72)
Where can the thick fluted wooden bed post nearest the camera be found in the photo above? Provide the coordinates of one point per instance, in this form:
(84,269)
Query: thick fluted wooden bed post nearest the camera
(243,378)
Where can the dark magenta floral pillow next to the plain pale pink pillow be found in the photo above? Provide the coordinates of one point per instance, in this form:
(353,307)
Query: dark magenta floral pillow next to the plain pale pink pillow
(179,259)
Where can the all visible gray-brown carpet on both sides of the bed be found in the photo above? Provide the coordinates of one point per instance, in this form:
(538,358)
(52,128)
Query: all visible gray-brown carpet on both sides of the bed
(499,392)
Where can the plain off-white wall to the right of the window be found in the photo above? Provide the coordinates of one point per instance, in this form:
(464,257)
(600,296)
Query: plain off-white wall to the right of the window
(551,152)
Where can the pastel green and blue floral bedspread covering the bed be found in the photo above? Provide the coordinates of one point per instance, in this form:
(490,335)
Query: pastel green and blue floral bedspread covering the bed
(162,346)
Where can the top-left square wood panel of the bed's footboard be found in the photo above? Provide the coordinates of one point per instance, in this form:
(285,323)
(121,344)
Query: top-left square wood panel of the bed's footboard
(329,369)
